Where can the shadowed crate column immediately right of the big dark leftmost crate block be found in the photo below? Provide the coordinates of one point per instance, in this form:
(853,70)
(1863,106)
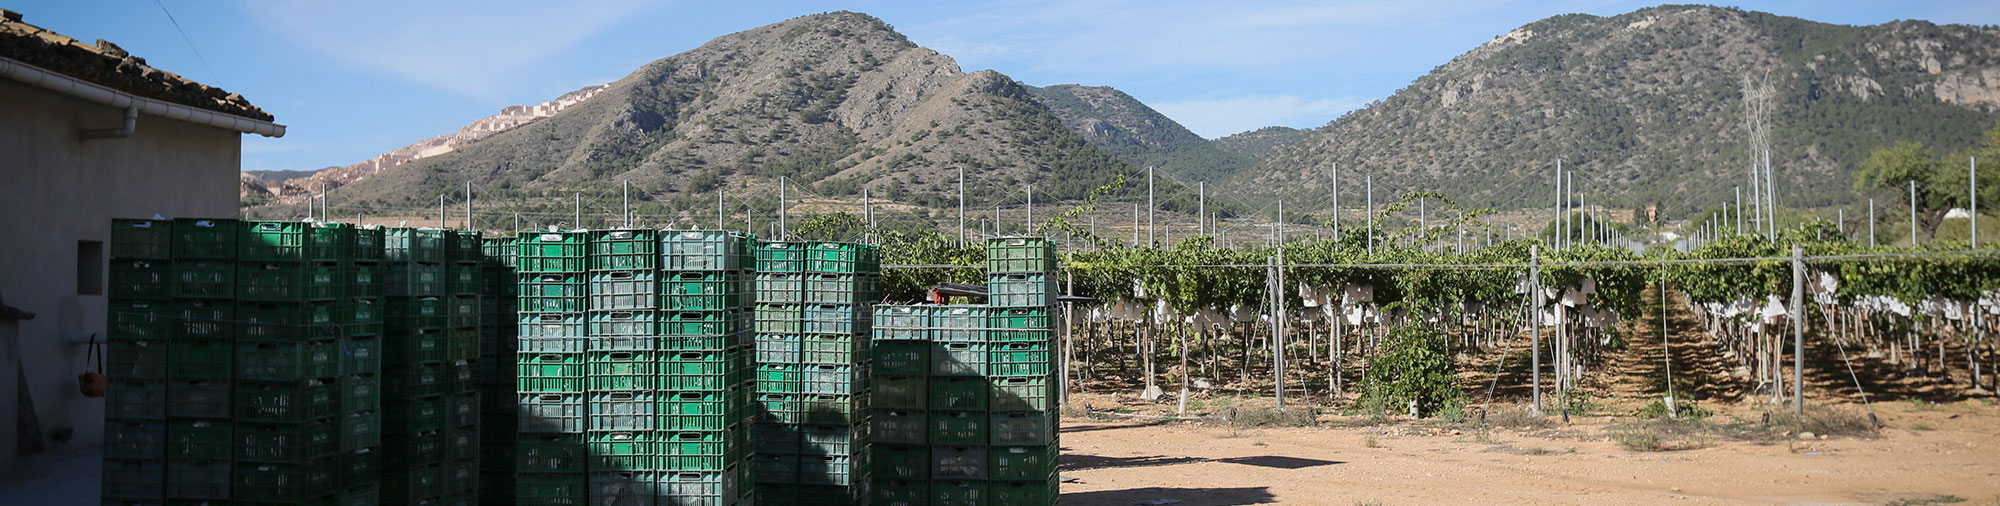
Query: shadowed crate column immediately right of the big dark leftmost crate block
(417,375)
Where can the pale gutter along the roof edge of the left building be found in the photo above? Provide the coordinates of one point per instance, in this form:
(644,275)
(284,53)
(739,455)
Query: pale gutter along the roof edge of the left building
(133,105)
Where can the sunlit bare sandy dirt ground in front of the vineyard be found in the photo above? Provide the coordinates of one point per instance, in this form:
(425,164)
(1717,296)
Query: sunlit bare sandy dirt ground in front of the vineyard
(1931,455)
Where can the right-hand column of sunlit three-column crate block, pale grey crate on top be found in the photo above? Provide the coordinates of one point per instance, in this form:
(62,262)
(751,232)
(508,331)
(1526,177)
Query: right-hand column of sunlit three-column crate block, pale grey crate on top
(703,365)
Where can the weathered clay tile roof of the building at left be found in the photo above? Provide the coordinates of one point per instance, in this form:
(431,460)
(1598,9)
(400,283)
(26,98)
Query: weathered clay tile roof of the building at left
(115,69)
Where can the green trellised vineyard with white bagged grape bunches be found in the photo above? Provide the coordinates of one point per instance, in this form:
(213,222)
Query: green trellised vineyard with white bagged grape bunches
(1395,321)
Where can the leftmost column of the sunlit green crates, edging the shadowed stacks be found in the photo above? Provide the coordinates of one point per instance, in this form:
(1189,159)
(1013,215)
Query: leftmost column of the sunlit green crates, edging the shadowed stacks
(549,373)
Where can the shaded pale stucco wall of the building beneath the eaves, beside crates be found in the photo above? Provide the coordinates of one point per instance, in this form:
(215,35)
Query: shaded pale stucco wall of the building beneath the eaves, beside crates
(55,191)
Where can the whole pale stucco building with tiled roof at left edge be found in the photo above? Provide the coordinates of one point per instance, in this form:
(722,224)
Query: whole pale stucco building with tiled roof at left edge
(87,135)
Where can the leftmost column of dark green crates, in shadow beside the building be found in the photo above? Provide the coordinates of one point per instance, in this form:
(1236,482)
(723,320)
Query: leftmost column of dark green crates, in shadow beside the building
(143,323)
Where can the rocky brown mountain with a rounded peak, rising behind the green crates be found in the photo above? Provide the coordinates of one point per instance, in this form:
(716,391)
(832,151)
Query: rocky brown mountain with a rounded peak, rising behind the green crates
(835,103)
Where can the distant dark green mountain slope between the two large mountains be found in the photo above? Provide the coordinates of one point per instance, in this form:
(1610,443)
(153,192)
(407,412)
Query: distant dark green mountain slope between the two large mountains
(1139,135)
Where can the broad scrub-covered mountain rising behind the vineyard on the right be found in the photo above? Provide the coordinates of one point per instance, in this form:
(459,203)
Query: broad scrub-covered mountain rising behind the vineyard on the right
(1649,107)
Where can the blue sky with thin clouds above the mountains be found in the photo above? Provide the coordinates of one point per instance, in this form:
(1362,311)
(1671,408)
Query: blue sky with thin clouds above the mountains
(363,77)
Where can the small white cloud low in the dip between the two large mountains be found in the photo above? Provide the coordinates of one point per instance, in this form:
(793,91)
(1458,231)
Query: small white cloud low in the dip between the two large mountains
(1221,117)
